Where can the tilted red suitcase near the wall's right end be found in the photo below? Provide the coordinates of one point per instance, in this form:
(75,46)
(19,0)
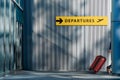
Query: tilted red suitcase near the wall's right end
(98,63)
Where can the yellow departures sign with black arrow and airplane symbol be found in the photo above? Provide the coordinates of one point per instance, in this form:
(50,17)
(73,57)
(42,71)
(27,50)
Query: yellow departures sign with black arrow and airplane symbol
(81,20)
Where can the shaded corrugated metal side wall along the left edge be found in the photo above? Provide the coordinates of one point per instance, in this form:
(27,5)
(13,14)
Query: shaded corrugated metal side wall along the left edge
(9,36)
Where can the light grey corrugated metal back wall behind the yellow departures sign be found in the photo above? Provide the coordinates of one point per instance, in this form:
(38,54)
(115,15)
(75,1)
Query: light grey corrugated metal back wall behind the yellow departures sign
(67,48)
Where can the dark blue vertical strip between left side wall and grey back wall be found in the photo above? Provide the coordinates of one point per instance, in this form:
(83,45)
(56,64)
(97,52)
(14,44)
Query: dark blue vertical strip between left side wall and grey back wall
(27,35)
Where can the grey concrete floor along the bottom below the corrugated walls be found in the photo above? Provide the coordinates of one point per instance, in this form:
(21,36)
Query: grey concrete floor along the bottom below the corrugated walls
(29,75)
